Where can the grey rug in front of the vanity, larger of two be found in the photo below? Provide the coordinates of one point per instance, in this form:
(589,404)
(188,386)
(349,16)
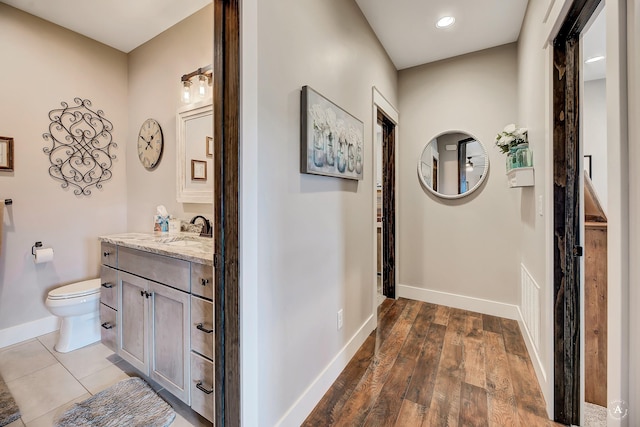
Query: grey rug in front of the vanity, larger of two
(131,402)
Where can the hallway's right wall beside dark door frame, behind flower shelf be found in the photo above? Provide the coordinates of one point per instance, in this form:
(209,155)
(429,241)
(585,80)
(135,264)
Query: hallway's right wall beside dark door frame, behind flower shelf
(534,103)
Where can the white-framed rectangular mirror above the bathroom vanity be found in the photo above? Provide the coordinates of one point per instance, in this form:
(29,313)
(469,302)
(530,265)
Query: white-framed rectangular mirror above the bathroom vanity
(195,153)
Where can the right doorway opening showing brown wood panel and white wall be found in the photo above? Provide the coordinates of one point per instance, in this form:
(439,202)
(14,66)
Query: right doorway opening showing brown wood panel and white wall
(593,143)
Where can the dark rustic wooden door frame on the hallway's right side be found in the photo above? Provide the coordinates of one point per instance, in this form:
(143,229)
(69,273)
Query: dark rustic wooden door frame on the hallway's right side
(566,212)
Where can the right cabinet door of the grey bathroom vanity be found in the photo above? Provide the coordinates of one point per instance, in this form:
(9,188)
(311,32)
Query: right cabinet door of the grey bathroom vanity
(170,339)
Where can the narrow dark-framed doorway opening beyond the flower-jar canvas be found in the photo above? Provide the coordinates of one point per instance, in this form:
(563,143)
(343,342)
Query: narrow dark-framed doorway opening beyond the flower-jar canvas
(385,206)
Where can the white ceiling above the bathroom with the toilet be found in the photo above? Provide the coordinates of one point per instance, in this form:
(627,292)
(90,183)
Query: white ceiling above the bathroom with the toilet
(121,24)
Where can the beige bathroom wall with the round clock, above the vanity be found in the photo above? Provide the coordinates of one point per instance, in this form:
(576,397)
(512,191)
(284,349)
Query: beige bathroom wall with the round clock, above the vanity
(155,69)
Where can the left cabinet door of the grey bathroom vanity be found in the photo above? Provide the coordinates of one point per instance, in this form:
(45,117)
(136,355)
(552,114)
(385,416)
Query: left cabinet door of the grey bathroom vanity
(134,317)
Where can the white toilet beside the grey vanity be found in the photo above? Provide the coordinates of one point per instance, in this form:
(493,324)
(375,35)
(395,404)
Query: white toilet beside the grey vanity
(77,304)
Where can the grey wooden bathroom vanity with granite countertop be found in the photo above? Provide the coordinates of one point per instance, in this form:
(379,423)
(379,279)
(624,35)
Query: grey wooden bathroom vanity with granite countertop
(156,310)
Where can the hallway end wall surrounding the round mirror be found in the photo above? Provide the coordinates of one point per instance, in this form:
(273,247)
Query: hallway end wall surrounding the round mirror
(477,94)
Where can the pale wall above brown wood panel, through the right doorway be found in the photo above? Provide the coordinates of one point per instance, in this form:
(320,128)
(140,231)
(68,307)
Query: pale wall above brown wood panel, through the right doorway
(595,134)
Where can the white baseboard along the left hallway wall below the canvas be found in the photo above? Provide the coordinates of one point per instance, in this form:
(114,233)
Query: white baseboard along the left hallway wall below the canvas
(302,407)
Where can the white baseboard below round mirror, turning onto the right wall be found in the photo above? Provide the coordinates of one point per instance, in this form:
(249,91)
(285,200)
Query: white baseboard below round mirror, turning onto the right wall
(493,308)
